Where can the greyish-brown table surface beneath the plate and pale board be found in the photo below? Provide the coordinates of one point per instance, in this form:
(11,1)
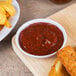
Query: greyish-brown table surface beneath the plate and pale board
(10,64)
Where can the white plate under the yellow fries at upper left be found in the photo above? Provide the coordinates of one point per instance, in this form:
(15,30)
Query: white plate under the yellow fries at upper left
(13,20)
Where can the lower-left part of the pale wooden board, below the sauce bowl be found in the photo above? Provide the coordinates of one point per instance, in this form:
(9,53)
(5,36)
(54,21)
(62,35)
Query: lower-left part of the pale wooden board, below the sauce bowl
(39,67)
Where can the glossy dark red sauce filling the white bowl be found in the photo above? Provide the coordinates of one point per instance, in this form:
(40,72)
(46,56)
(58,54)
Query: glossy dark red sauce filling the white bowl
(41,39)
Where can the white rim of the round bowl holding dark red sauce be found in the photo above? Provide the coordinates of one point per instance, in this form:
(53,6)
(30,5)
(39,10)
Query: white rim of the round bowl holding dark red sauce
(35,21)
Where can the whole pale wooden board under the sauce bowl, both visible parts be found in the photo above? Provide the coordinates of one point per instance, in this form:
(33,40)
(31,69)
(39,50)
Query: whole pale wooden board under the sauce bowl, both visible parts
(41,67)
